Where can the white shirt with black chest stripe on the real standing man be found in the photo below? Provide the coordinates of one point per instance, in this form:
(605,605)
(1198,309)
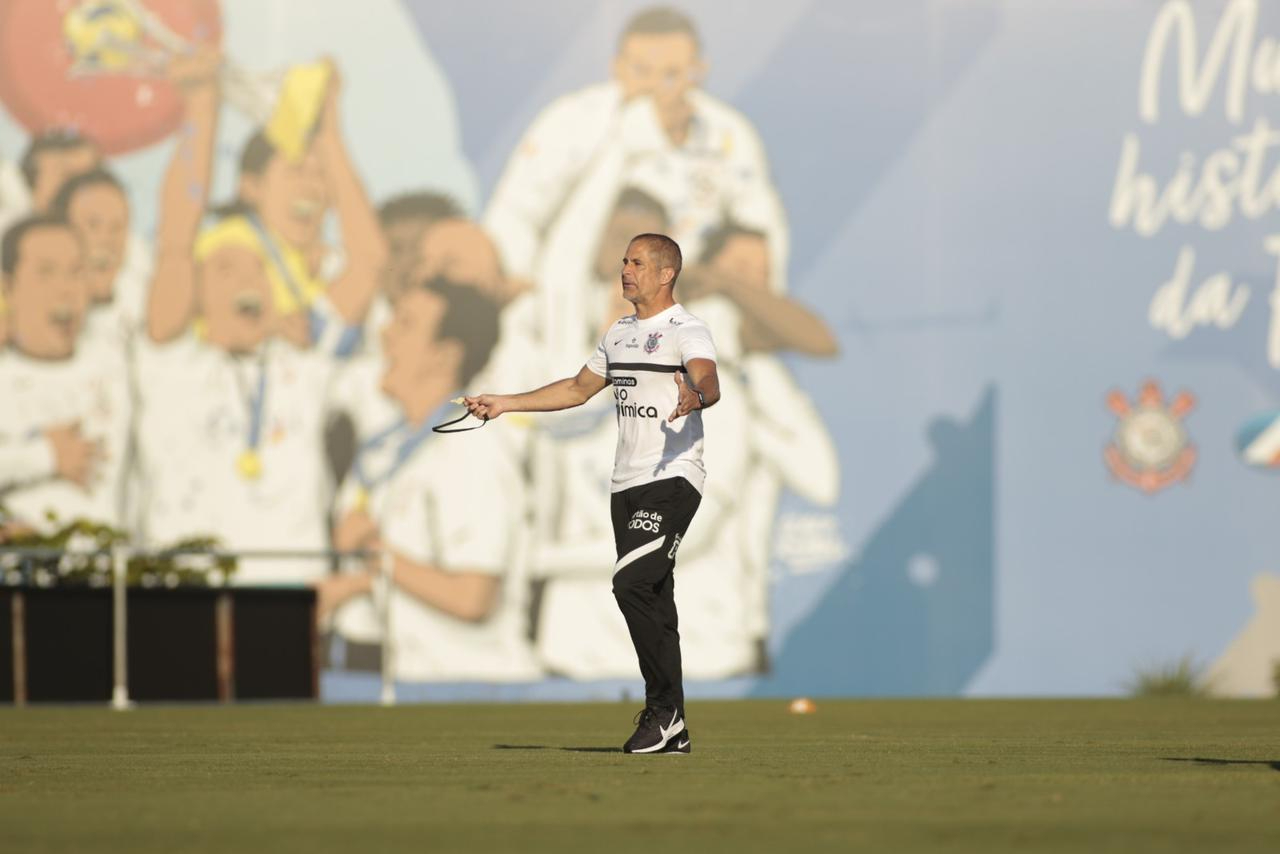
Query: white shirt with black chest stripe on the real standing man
(641,359)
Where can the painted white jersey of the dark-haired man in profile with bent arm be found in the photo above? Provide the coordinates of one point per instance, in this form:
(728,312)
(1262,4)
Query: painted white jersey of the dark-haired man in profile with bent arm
(460,508)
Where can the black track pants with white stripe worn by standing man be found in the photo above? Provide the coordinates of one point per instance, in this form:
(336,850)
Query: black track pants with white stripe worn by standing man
(648,524)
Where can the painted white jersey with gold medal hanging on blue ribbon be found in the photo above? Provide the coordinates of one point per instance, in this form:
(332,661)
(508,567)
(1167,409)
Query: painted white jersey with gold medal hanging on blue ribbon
(196,421)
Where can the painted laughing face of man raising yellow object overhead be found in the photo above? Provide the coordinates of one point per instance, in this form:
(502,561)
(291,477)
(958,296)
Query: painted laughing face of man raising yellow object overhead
(291,198)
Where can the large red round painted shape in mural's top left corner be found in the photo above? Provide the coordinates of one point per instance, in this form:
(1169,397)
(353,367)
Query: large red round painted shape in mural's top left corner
(122,112)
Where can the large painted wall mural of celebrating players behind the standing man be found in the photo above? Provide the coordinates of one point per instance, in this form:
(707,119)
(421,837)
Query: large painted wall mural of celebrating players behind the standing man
(971,298)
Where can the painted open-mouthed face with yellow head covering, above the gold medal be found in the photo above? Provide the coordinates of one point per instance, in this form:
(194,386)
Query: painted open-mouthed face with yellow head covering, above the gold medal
(236,299)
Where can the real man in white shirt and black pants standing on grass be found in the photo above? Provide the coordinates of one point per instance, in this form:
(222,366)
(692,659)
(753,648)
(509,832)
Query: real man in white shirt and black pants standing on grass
(659,471)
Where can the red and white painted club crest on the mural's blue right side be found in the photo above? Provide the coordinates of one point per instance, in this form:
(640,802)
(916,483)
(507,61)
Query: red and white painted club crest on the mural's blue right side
(1150,450)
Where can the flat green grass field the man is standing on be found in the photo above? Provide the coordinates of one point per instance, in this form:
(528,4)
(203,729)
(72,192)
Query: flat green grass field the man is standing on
(874,777)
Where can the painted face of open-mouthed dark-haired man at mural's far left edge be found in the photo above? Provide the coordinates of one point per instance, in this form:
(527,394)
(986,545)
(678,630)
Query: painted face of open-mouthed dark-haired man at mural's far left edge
(47,294)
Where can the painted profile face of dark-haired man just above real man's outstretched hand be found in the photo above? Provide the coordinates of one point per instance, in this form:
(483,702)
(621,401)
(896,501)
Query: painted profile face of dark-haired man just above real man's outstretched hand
(413,354)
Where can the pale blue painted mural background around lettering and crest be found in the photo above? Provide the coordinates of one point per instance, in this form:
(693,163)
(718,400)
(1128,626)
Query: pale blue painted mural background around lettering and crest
(948,171)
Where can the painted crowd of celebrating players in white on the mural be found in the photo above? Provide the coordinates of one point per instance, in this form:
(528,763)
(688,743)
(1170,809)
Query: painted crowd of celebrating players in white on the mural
(267,368)
